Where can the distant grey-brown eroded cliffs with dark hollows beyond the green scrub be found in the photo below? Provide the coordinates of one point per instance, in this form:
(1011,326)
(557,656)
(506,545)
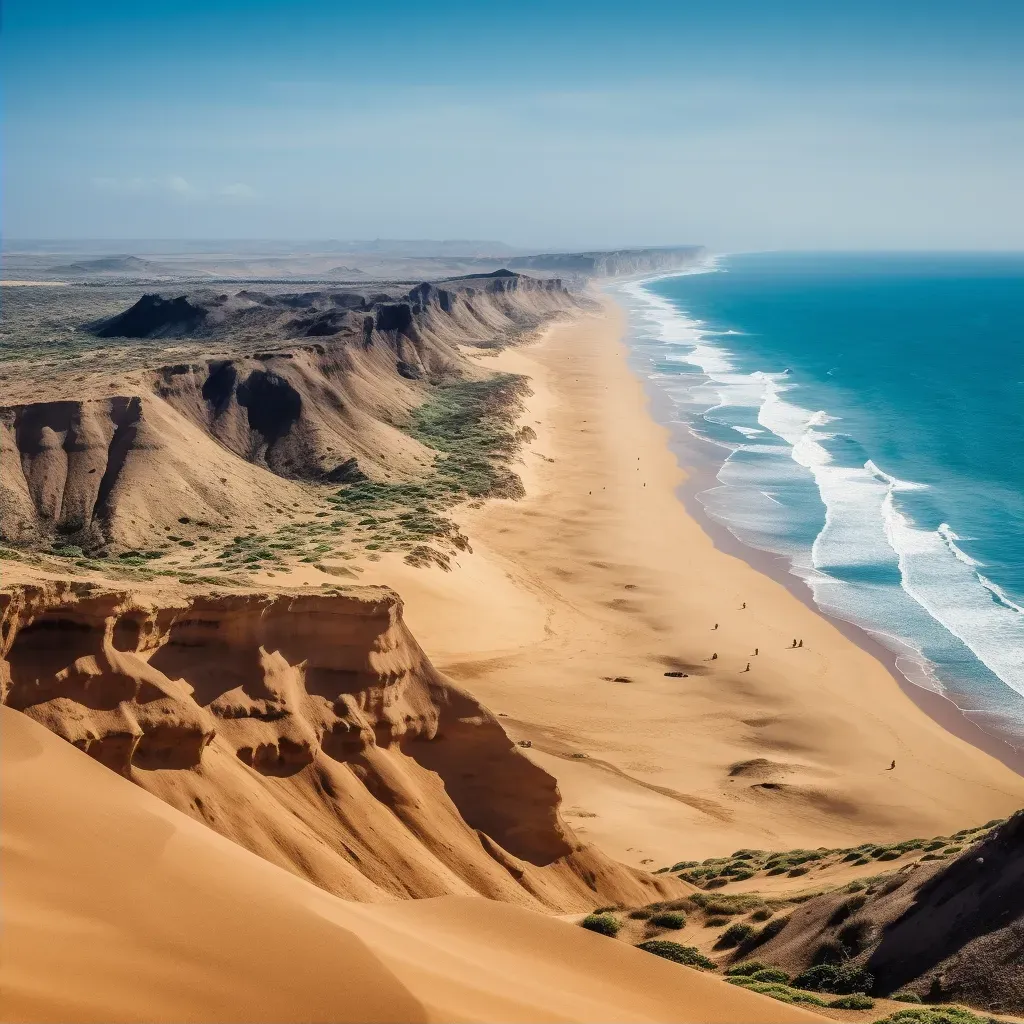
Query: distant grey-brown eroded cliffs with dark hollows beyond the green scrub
(315,388)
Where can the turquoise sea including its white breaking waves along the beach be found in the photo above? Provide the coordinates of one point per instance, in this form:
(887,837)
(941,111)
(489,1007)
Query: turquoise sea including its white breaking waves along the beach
(869,411)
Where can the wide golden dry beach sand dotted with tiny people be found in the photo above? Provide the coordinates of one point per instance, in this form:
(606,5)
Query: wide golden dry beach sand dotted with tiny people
(579,600)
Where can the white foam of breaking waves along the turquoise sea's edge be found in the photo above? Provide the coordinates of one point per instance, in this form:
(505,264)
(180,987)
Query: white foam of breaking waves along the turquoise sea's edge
(865,525)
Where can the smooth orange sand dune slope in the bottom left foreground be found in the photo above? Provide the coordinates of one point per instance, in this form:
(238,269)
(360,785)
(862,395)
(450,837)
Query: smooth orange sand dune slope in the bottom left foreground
(119,909)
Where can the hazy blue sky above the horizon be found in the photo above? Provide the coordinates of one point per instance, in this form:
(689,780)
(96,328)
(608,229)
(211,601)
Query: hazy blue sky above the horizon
(738,124)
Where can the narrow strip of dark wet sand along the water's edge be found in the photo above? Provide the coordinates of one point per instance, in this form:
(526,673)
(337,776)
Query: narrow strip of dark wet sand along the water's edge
(697,460)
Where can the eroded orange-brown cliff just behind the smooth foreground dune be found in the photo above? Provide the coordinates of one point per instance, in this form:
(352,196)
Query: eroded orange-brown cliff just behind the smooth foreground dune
(311,730)
